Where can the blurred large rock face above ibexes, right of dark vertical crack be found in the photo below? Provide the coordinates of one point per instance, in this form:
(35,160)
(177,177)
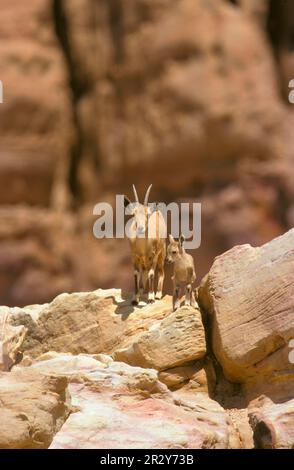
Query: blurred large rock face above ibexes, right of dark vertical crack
(169,77)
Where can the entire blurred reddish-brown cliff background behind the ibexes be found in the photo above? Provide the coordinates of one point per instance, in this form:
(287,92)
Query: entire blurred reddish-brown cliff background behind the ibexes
(191,95)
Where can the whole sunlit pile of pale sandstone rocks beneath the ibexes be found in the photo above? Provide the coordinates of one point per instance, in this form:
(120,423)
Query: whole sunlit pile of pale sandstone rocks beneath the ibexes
(99,368)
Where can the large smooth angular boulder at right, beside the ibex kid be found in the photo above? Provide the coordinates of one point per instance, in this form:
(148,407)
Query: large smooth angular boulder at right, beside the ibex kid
(249,298)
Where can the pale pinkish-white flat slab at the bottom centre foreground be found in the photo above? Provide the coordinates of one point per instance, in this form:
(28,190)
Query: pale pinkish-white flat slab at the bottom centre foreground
(117,406)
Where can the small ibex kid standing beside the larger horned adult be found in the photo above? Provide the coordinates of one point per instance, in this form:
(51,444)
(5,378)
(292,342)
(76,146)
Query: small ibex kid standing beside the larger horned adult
(184,274)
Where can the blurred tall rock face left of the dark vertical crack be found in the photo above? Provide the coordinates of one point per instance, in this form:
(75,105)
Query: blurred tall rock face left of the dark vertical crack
(35,113)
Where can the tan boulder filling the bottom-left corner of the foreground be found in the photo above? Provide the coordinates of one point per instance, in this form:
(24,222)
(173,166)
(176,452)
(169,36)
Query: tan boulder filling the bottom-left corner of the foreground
(33,408)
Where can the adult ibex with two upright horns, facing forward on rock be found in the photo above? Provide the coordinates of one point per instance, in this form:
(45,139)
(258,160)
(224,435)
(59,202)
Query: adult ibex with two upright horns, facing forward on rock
(146,234)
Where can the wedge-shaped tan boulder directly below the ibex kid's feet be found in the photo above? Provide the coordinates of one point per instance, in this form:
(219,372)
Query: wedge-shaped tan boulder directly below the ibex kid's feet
(177,339)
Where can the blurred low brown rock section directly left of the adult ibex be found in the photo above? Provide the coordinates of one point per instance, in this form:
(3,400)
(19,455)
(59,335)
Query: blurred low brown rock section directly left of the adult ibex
(45,252)
